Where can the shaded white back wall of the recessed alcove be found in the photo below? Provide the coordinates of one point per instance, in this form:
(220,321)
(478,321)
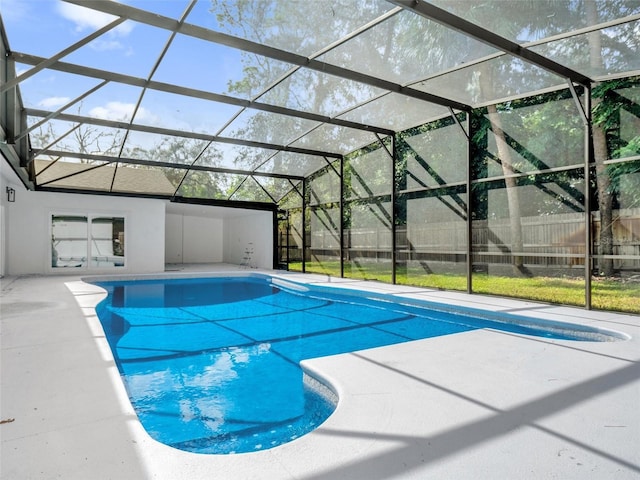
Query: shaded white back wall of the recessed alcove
(193,239)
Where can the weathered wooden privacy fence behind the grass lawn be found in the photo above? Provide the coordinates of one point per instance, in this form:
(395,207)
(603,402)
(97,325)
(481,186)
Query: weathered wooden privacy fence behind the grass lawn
(552,240)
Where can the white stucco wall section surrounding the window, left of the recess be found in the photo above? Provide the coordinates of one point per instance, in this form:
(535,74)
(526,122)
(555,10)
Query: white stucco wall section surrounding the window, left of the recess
(28,234)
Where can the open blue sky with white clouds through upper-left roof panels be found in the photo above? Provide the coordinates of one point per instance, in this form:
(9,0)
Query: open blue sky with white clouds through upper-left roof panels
(46,27)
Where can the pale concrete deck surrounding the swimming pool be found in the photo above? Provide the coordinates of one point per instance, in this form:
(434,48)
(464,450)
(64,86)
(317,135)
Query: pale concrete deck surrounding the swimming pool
(476,405)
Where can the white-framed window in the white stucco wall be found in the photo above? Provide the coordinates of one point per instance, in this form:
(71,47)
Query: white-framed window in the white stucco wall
(81,241)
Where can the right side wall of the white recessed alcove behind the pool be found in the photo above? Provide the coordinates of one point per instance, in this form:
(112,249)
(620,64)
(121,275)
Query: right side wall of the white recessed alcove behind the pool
(243,231)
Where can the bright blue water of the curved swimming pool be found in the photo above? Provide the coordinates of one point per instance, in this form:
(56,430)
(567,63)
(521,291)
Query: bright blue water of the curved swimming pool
(211,365)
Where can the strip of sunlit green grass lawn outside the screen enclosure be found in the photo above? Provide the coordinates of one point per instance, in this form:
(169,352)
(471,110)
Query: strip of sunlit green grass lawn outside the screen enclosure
(606,294)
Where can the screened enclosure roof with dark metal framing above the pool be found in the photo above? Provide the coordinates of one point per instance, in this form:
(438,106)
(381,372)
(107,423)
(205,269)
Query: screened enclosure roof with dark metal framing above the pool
(257,95)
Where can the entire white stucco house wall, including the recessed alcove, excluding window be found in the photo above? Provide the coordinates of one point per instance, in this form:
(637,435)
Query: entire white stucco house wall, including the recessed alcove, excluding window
(154,235)
